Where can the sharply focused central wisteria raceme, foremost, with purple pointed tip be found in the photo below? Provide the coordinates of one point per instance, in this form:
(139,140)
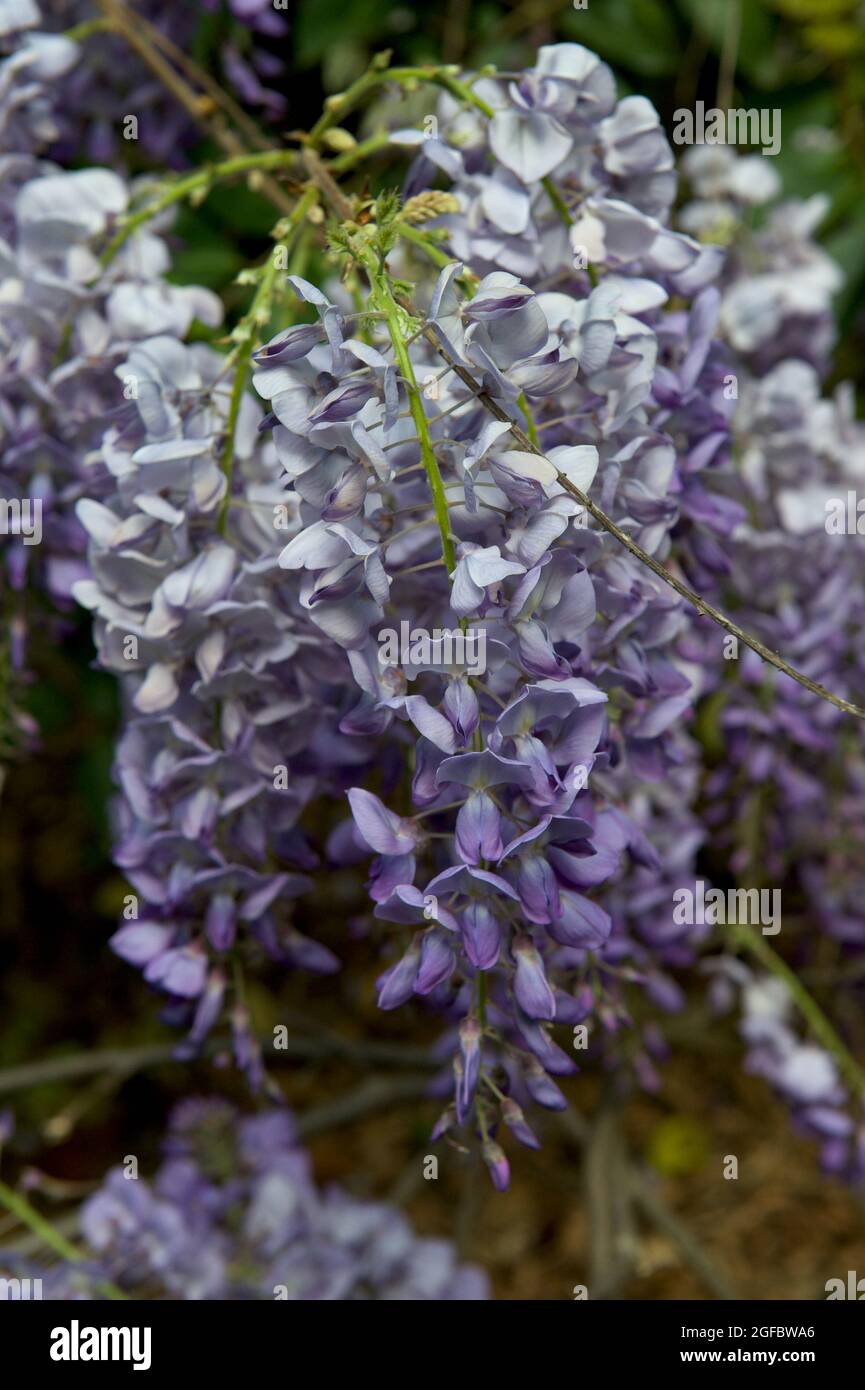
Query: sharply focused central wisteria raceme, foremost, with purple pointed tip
(496,860)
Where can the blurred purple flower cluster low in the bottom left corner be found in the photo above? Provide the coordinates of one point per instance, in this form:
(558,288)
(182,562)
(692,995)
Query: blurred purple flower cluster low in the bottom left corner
(234,1214)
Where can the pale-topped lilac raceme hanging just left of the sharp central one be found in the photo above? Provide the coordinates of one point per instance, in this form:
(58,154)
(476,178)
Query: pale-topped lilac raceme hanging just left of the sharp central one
(230,697)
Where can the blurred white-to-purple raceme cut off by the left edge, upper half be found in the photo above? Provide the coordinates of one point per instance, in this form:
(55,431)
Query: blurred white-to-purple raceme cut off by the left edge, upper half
(66,323)
